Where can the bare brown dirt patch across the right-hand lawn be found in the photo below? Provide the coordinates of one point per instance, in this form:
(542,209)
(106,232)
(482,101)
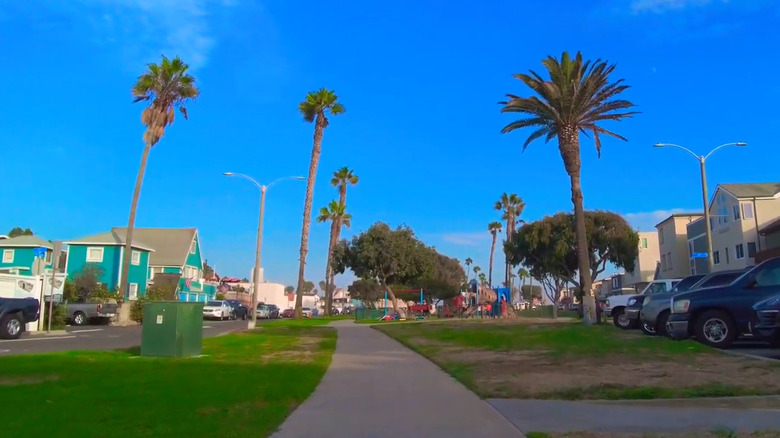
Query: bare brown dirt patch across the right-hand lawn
(534,374)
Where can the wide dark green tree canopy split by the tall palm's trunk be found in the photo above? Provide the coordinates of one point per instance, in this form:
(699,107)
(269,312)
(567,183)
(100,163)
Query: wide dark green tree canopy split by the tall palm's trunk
(549,246)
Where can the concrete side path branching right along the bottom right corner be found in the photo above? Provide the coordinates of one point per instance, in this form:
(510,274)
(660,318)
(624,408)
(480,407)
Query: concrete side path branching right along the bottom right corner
(544,416)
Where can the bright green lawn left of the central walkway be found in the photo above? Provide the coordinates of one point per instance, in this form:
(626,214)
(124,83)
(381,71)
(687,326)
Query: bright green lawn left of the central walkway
(245,385)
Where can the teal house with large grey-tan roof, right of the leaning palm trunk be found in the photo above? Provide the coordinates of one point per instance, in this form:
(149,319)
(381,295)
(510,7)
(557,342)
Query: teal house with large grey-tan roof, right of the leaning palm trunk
(177,252)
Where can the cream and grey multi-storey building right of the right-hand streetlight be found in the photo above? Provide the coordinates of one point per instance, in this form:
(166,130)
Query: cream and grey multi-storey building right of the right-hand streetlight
(739,213)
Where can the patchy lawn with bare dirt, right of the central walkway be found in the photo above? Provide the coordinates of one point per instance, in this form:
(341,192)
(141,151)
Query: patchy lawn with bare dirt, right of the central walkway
(557,360)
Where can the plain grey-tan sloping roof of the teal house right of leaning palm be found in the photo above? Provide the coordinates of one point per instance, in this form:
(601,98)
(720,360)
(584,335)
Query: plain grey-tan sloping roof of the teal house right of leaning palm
(172,245)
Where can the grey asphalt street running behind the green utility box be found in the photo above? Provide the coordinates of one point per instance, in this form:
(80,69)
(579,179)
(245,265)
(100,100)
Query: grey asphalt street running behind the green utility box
(101,337)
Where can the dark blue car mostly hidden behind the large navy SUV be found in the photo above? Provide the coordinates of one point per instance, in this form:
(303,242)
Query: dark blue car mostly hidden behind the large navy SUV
(655,309)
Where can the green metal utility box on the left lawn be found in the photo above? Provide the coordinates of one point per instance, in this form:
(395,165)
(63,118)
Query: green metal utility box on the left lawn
(172,329)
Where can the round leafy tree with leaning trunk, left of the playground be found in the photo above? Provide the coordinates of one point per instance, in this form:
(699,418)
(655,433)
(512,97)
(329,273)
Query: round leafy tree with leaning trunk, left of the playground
(387,256)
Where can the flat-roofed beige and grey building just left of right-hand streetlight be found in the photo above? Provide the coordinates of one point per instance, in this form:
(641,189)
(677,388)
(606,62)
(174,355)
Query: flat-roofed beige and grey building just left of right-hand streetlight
(673,245)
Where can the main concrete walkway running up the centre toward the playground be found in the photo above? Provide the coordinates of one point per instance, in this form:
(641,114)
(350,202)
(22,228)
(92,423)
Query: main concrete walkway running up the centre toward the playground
(376,387)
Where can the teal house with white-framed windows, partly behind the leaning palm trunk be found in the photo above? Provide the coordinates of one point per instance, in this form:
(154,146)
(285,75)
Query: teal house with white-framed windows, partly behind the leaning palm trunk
(106,251)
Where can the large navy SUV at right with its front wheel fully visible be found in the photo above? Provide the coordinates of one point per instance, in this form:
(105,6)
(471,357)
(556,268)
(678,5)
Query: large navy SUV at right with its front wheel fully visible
(717,316)
